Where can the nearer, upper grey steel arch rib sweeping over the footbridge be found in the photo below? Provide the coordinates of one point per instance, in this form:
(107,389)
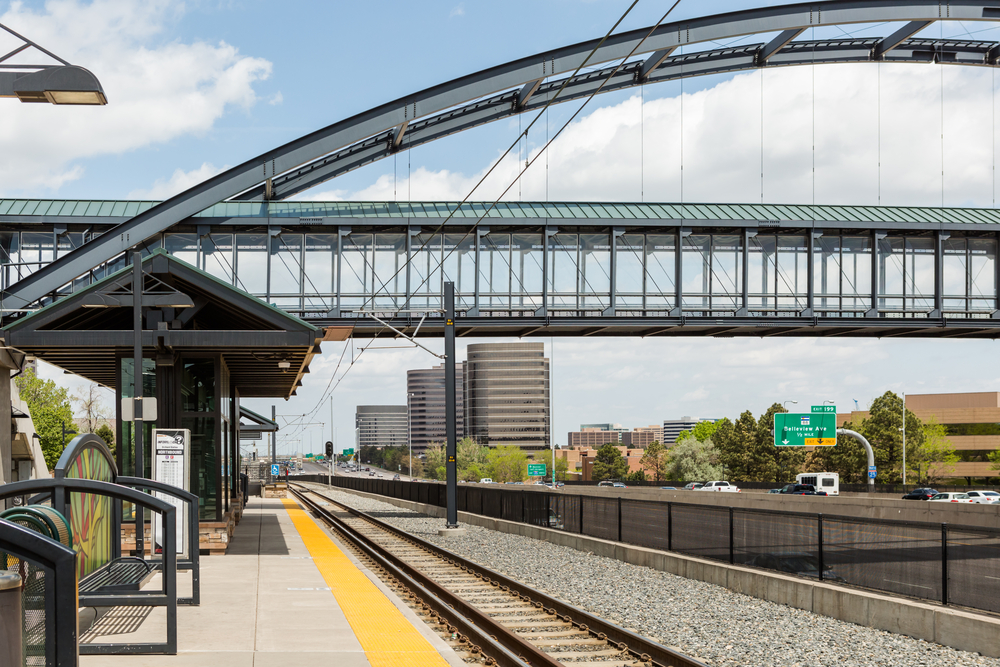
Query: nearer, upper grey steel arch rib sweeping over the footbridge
(395,115)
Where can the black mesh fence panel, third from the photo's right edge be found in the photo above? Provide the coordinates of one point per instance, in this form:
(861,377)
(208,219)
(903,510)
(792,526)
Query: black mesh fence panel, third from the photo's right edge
(776,541)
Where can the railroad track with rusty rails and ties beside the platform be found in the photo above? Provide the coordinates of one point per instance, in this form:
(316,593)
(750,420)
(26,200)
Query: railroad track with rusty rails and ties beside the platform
(492,617)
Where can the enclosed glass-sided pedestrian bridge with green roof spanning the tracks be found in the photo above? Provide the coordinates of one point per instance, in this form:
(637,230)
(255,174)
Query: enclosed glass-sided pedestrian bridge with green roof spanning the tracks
(541,268)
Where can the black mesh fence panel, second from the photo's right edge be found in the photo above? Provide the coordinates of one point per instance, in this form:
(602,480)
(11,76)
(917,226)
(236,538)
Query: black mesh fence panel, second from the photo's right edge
(897,557)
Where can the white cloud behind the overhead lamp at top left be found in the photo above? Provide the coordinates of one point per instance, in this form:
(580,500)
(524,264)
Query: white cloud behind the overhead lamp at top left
(157,91)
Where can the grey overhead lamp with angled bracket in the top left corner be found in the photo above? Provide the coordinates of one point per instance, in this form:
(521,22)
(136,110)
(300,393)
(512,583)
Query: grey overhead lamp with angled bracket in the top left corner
(54,84)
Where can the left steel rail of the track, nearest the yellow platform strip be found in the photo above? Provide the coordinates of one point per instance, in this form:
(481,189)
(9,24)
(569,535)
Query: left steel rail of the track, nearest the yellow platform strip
(510,650)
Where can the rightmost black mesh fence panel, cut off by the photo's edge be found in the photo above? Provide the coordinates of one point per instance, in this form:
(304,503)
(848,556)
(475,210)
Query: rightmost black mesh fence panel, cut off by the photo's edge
(973,578)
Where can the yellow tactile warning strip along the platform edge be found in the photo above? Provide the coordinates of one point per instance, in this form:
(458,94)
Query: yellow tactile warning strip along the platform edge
(387,638)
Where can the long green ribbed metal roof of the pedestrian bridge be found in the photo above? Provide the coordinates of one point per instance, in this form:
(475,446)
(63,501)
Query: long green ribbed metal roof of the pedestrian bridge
(552,210)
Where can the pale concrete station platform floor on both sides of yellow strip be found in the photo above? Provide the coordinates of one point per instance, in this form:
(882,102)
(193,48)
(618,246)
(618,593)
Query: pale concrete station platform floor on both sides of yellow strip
(263,604)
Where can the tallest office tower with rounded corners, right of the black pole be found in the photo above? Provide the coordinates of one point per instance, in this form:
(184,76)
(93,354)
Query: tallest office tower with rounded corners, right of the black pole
(507,394)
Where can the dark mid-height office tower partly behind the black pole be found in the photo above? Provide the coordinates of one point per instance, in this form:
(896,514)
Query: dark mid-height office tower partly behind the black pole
(425,400)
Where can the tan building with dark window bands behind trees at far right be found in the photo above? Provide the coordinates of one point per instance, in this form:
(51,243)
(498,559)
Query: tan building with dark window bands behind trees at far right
(971,420)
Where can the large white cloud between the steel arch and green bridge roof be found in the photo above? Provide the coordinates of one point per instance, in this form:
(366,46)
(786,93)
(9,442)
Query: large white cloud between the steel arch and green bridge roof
(621,153)
